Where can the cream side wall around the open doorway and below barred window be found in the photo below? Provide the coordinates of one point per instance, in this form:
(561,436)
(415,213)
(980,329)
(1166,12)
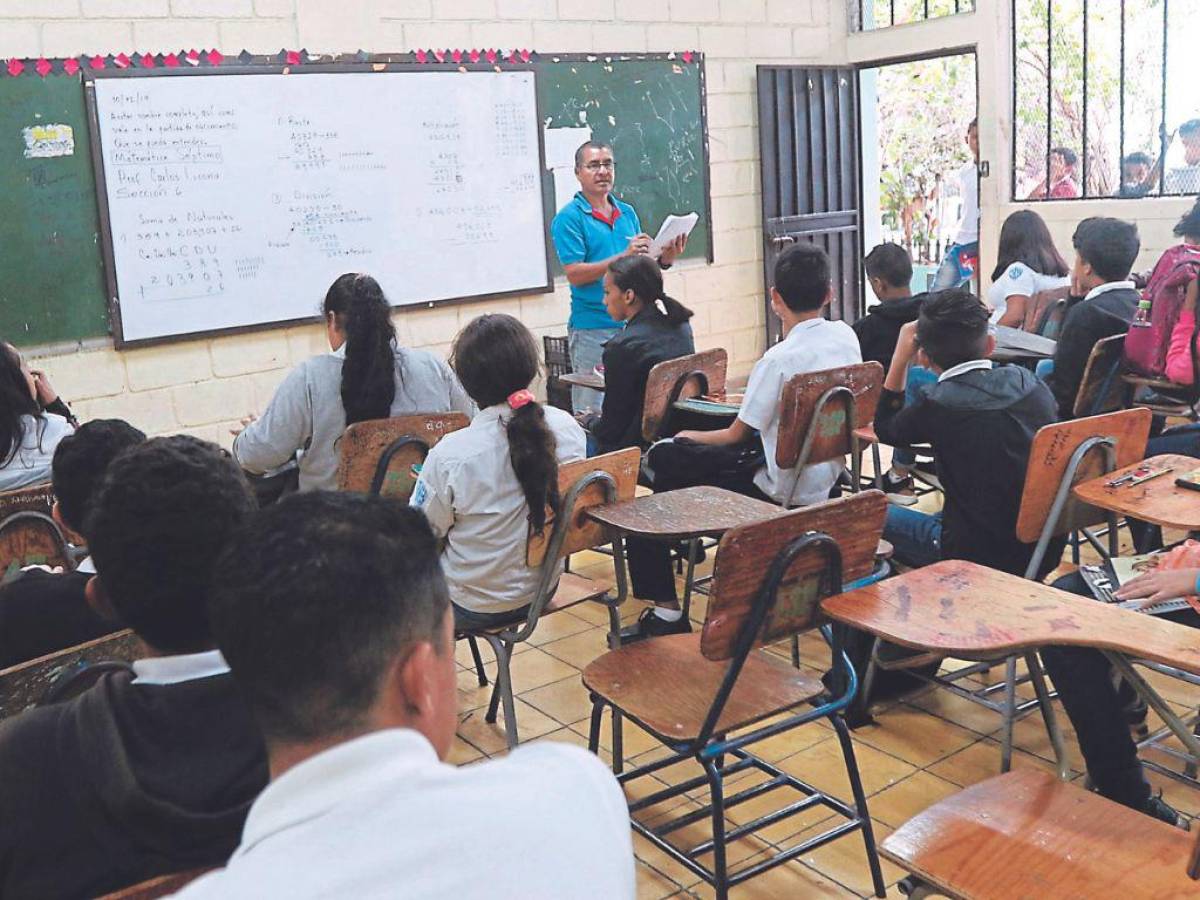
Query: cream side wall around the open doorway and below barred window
(989,32)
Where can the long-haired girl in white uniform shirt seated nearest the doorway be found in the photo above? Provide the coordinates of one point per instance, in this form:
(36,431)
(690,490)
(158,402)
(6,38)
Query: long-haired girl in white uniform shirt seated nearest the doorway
(1028,263)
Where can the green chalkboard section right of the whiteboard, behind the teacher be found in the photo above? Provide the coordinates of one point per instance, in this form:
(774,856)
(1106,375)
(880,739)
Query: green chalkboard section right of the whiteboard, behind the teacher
(652,111)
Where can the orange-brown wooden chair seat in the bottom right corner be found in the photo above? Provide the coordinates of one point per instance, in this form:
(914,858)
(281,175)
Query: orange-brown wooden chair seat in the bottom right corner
(1025,835)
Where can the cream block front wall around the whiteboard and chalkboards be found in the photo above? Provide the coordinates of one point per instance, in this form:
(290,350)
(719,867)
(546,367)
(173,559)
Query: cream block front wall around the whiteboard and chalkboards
(205,387)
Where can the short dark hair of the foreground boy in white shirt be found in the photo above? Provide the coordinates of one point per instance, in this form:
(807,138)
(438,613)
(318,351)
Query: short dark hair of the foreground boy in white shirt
(316,599)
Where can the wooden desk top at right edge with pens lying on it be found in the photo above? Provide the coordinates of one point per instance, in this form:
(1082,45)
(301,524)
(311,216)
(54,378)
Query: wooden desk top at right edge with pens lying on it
(1159,501)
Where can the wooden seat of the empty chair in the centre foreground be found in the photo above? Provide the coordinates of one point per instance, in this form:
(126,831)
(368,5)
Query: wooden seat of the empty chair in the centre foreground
(668,686)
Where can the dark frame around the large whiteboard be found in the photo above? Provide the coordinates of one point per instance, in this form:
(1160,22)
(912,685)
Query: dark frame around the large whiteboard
(106,231)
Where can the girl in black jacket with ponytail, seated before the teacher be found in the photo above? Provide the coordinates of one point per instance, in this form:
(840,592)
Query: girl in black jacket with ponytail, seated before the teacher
(656,331)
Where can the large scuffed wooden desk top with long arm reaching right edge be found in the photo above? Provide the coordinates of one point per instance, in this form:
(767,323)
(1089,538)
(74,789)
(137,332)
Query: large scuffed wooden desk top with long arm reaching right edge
(973,613)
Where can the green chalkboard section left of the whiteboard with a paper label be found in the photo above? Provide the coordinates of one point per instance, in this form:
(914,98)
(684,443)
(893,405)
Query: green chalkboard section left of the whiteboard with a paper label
(52,284)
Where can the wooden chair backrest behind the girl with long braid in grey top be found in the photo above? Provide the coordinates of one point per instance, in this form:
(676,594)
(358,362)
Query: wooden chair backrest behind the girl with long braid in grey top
(377,457)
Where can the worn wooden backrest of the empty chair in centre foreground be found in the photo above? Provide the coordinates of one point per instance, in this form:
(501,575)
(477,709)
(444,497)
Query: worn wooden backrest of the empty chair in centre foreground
(746,554)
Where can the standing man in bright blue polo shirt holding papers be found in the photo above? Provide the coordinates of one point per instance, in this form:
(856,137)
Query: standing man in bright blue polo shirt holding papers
(590,233)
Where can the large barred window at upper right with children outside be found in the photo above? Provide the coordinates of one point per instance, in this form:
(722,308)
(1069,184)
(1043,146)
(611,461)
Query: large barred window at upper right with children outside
(1105,104)
